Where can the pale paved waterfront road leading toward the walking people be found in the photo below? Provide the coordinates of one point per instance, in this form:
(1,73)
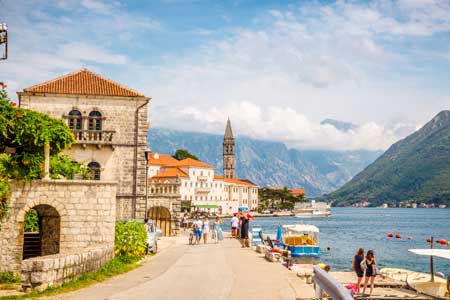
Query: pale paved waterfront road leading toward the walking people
(211,271)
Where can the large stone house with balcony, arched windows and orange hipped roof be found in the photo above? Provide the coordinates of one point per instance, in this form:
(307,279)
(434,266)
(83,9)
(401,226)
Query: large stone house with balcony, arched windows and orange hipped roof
(110,124)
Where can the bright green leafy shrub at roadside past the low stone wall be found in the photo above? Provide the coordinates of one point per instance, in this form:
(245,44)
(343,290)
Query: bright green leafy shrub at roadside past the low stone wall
(130,240)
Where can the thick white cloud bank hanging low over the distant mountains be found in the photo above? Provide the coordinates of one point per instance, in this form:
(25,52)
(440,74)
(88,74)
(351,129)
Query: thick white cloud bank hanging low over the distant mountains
(286,124)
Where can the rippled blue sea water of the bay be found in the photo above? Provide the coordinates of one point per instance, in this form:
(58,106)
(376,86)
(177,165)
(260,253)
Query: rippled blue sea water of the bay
(350,228)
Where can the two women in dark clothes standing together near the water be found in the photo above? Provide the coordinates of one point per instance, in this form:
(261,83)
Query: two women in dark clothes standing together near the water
(365,267)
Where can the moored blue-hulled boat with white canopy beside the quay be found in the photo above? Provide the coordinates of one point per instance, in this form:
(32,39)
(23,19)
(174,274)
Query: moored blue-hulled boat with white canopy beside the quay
(302,240)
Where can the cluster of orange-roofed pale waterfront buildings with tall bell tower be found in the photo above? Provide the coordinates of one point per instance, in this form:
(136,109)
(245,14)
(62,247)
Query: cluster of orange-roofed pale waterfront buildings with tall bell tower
(192,183)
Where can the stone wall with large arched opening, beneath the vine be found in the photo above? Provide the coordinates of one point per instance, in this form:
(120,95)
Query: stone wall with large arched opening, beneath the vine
(86,209)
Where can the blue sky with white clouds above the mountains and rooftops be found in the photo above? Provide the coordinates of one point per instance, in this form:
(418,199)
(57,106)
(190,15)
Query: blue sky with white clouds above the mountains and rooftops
(277,68)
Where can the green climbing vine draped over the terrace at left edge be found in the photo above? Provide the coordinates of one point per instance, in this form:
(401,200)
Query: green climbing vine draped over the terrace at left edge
(23,135)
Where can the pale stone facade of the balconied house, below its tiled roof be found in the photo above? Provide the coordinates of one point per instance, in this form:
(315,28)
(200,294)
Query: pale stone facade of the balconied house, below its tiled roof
(116,159)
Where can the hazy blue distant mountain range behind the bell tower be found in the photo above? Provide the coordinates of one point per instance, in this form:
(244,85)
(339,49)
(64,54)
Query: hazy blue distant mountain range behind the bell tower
(269,163)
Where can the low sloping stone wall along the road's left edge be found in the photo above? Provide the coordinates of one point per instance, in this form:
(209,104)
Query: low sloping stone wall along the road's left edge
(39,273)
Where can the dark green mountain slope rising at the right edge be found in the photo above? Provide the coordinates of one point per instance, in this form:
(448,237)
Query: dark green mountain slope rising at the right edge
(416,168)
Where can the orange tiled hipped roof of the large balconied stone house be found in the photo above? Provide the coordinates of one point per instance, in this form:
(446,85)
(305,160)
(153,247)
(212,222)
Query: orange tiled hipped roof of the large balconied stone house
(83,82)
